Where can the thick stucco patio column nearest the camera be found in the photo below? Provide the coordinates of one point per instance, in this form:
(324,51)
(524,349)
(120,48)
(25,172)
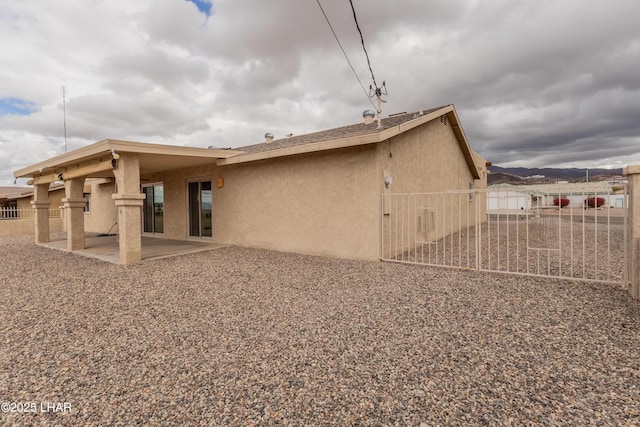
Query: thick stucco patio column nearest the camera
(129,201)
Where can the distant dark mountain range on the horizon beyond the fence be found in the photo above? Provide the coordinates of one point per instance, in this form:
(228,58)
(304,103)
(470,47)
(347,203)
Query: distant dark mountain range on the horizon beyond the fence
(501,175)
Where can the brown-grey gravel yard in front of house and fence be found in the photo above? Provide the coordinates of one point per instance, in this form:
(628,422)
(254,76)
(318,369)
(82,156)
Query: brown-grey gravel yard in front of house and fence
(242,336)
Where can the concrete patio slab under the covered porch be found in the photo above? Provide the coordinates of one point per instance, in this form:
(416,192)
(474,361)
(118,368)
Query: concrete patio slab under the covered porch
(105,248)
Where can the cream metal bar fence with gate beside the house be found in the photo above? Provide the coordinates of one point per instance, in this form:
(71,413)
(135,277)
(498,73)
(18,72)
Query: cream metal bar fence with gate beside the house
(573,233)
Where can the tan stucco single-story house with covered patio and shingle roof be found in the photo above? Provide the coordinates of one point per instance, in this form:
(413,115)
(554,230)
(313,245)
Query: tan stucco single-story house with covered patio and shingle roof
(319,193)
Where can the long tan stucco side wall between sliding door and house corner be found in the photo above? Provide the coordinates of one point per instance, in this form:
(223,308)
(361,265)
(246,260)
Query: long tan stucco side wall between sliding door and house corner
(321,203)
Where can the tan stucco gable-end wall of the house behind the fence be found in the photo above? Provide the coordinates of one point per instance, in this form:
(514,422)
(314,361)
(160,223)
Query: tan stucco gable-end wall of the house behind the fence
(427,159)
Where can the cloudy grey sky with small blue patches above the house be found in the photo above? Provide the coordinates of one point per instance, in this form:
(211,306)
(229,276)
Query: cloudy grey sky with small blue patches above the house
(543,83)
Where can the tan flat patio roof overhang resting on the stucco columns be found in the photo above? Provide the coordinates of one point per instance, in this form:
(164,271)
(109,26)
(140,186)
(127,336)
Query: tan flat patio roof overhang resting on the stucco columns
(95,160)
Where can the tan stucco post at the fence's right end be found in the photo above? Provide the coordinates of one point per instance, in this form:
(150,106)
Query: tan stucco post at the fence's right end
(633,262)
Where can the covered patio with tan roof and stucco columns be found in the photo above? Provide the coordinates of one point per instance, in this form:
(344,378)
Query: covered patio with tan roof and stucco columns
(124,162)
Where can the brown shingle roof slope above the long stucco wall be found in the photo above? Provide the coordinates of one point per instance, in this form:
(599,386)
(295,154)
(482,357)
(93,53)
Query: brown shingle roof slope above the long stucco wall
(349,131)
